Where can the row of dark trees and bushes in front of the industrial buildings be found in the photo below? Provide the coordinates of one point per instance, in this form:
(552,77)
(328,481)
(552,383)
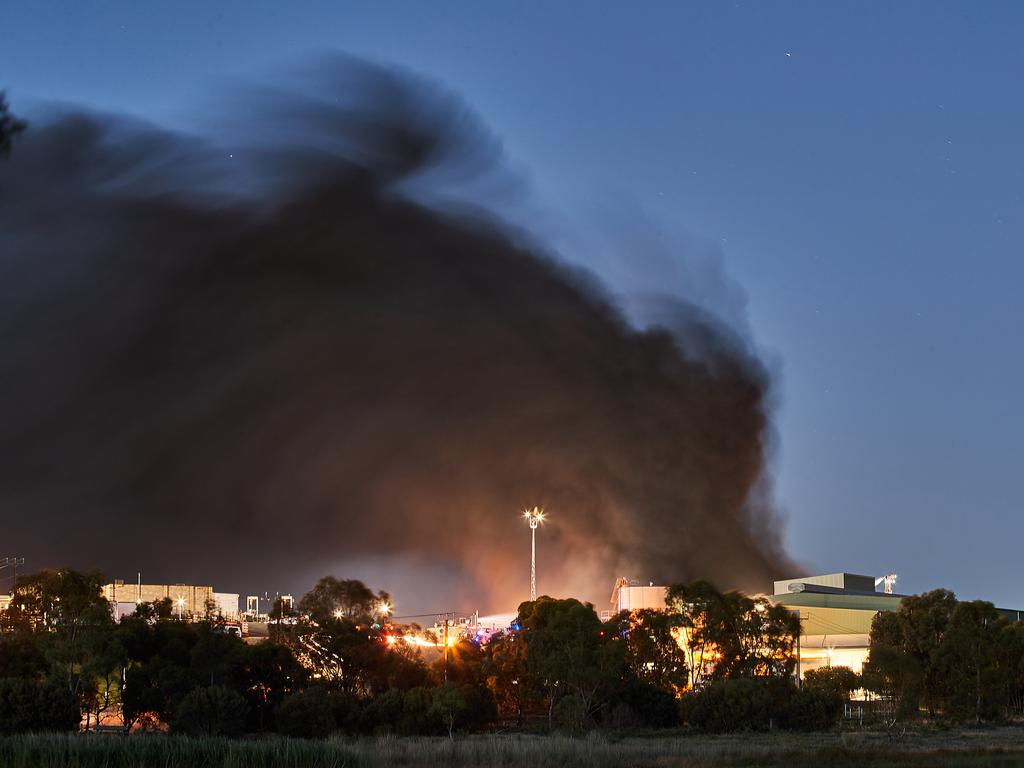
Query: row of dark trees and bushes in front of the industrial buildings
(714,662)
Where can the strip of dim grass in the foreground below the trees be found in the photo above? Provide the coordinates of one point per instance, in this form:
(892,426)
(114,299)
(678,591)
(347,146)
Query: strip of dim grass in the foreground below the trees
(1000,747)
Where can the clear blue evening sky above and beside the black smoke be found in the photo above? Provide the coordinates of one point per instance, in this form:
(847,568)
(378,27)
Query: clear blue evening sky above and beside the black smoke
(856,168)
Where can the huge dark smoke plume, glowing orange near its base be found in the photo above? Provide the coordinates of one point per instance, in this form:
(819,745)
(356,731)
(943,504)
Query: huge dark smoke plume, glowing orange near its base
(242,362)
